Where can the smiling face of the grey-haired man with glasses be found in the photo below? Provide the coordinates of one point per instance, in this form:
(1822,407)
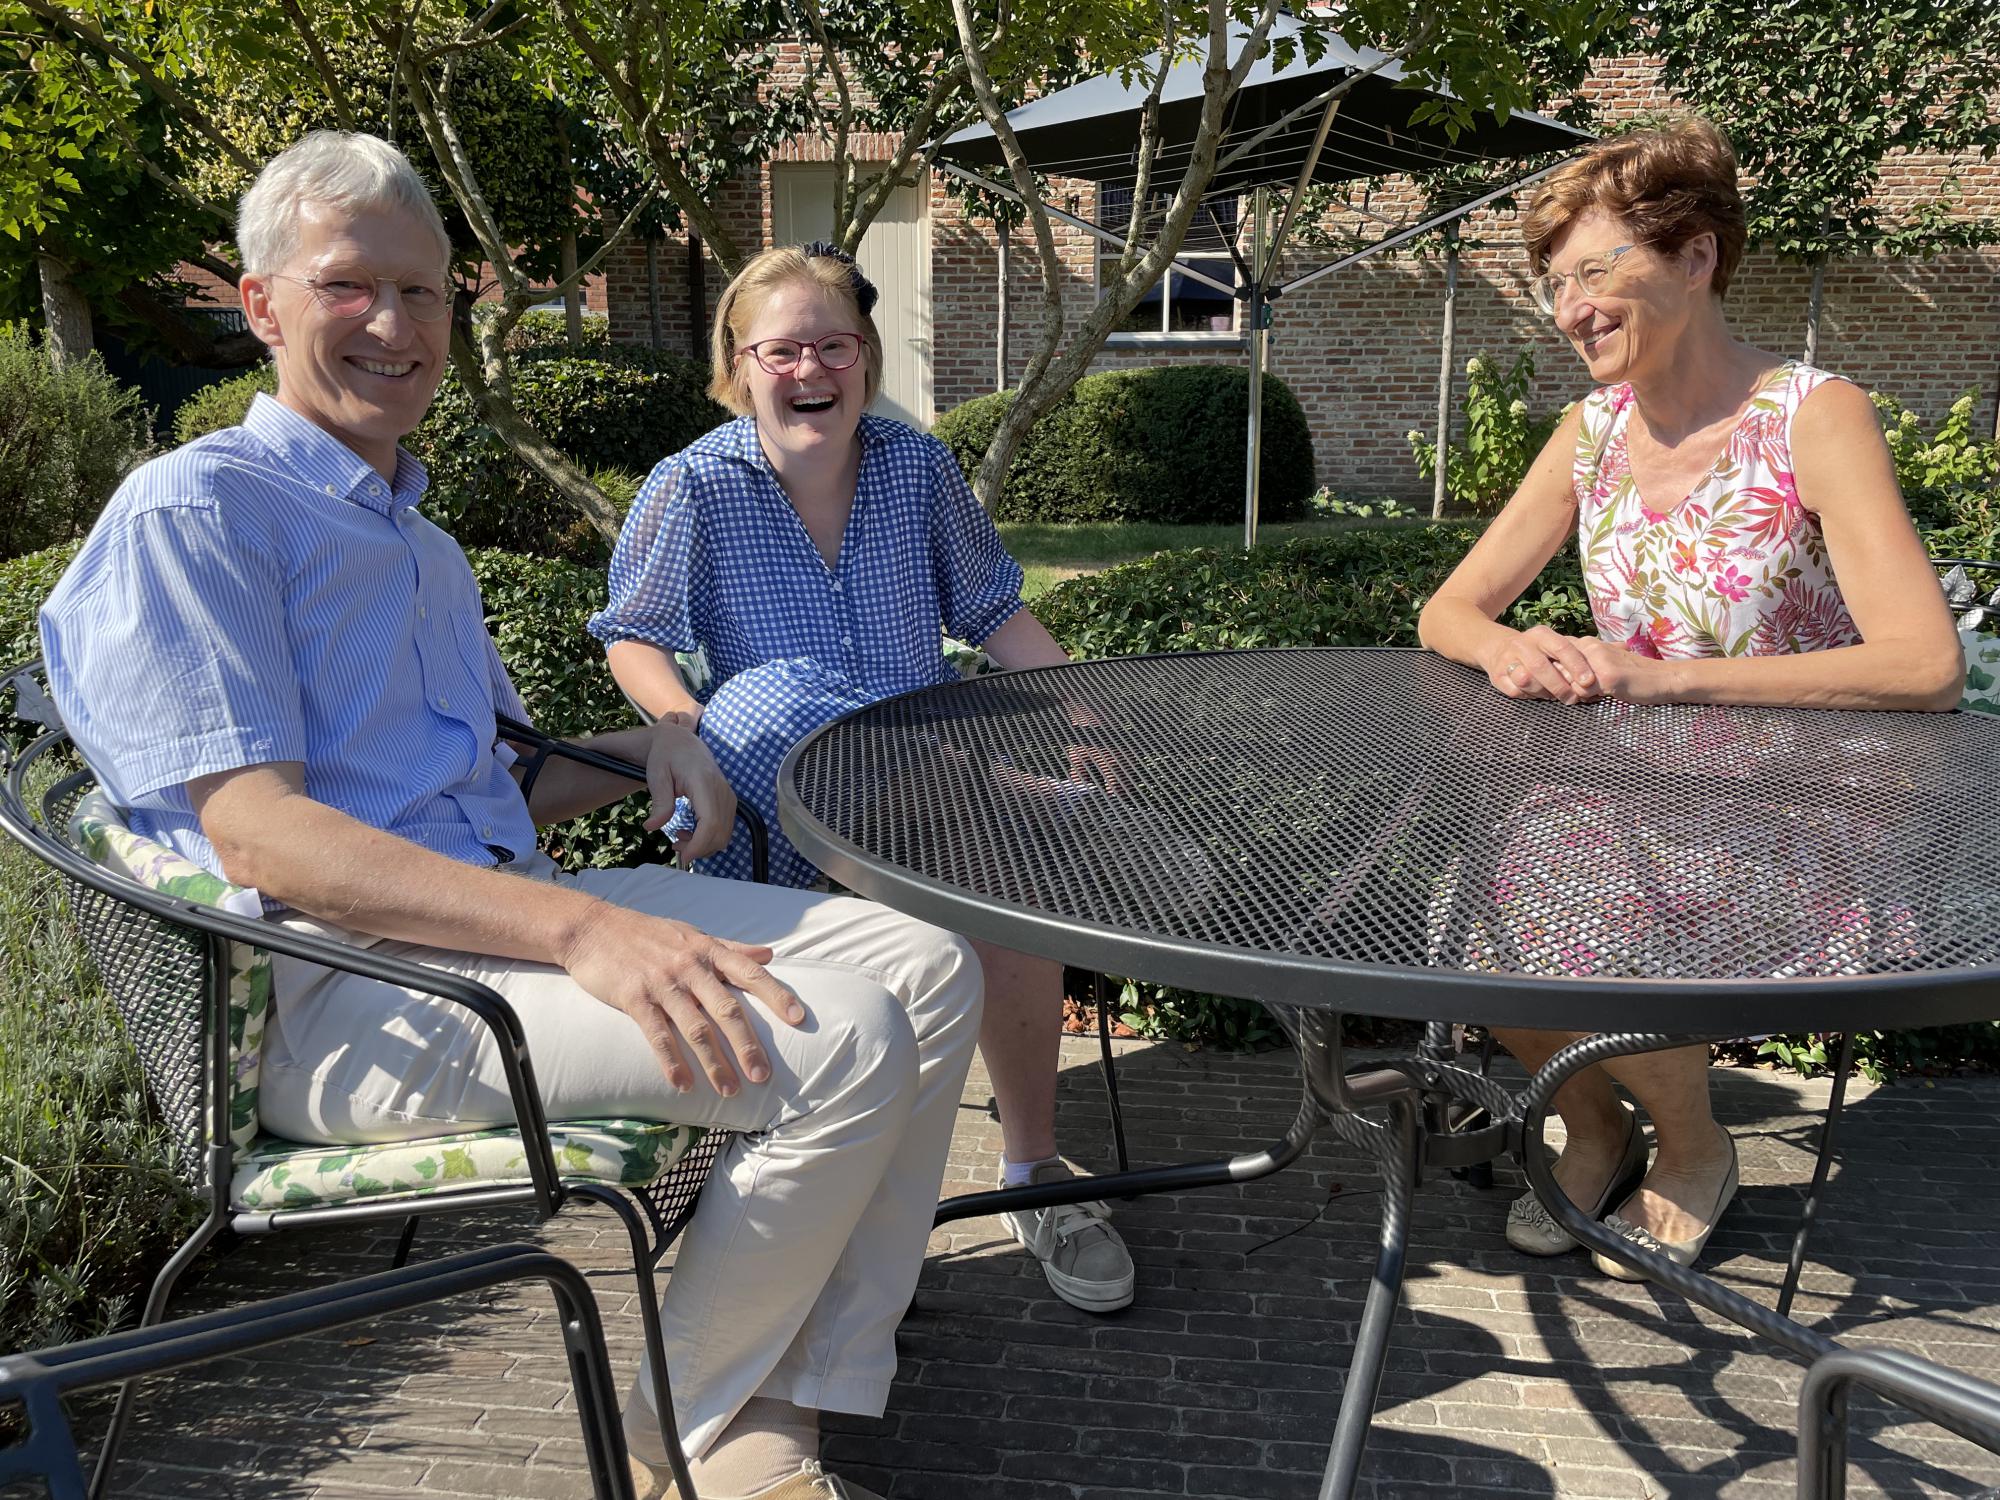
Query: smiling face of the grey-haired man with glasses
(367,381)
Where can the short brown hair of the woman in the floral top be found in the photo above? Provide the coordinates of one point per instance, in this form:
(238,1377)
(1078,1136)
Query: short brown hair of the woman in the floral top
(1667,185)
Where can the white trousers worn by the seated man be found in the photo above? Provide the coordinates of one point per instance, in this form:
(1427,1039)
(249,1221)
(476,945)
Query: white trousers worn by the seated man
(811,1235)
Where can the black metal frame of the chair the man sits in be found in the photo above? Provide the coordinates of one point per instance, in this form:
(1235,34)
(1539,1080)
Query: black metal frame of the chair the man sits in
(197,1109)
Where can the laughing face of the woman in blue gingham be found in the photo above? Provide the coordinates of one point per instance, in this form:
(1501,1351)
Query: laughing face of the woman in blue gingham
(813,411)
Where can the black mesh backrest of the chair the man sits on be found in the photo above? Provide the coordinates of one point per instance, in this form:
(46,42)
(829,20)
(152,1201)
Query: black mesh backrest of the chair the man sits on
(157,977)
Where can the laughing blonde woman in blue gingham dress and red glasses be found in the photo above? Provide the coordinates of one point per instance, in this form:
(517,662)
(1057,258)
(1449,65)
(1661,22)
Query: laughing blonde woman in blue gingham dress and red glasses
(811,555)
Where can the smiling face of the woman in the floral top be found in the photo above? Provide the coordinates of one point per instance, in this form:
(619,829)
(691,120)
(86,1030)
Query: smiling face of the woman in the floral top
(1631,327)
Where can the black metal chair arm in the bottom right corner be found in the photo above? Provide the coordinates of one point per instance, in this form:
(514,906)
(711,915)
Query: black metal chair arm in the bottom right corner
(1919,1385)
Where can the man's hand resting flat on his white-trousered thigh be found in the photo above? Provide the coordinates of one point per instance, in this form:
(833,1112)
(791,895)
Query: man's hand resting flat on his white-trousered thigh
(683,991)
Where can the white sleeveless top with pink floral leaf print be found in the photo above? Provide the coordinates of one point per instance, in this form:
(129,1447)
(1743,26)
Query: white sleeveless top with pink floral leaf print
(1737,569)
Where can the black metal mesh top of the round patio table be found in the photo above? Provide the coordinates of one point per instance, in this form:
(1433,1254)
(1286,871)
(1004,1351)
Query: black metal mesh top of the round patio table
(1391,809)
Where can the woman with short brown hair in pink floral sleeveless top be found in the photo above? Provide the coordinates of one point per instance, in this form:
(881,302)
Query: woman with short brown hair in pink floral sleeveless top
(1743,543)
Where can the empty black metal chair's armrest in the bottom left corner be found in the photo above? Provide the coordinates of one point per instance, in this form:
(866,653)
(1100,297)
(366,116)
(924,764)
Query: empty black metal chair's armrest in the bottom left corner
(39,1381)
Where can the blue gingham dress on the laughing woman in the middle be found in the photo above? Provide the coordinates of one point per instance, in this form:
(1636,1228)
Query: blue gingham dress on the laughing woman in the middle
(715,559)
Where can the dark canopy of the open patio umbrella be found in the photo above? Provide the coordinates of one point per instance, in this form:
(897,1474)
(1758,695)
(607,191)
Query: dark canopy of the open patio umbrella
(1093,129)
